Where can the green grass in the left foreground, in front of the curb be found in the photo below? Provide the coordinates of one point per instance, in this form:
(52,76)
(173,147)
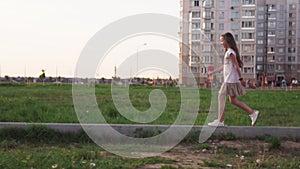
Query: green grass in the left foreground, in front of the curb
(40,147)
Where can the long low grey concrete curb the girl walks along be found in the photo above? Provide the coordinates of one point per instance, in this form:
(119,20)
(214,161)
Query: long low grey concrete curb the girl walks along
(130,130)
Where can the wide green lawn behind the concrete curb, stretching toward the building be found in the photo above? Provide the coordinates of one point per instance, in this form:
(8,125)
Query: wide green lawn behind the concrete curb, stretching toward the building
(51,103)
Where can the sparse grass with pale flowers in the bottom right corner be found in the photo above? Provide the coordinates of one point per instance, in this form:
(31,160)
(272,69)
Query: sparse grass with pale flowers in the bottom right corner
(255,156)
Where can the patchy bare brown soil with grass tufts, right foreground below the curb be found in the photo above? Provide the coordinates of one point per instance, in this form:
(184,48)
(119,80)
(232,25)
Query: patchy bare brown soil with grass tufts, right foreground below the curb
(190,156)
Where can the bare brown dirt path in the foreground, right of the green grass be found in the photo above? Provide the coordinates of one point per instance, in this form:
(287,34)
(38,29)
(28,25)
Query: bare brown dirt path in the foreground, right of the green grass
(192,156)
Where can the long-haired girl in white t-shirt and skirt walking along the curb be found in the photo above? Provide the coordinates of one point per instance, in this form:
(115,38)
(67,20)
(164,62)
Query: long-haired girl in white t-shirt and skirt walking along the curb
(233,81)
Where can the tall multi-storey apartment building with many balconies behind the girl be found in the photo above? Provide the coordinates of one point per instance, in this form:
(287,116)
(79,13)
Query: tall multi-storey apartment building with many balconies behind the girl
(267,33)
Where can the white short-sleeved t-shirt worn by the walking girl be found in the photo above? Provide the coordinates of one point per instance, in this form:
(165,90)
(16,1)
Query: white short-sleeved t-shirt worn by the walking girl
(230,73)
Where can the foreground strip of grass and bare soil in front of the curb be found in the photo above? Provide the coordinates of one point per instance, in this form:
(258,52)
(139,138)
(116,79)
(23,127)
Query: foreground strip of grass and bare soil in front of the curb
(42,148)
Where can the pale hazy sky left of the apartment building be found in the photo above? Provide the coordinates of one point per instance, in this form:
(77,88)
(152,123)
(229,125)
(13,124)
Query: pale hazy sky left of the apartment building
(50,34)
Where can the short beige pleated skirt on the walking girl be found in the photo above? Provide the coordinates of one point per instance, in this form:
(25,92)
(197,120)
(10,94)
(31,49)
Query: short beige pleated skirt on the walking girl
(232,89)
